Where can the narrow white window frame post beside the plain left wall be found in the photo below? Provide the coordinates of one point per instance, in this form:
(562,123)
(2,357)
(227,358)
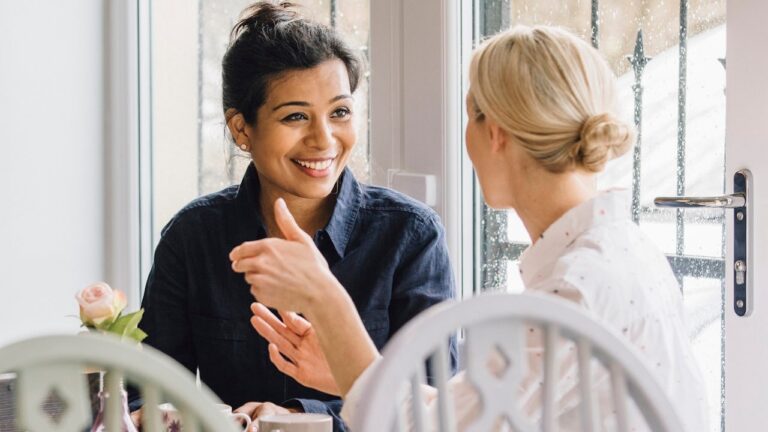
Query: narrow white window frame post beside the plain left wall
(128,160)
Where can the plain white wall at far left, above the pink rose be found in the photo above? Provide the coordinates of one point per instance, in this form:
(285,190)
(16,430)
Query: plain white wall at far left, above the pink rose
(51,161)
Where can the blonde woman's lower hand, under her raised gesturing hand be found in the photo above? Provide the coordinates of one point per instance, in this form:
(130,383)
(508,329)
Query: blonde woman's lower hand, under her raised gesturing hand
(294,339)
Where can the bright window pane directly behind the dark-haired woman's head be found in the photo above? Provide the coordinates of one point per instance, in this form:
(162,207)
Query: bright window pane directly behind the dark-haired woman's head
(193,153)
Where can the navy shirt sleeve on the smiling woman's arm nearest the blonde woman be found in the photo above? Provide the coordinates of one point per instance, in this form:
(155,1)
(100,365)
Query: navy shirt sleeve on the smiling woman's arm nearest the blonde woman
(423,278)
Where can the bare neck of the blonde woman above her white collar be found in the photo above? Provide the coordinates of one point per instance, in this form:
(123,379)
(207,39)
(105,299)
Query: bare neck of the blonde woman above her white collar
(546,197)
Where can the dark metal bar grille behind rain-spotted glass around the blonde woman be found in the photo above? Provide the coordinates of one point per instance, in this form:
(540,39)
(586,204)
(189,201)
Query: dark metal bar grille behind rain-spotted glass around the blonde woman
(494,251)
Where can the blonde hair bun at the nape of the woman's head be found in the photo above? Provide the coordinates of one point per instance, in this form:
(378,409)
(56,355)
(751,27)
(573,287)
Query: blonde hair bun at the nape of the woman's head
(602,138)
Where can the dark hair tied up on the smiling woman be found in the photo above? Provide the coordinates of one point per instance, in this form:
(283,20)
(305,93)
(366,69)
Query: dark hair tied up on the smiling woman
(269,40)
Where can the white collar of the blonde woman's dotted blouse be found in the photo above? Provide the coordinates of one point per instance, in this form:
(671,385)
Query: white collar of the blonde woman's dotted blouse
(605,208)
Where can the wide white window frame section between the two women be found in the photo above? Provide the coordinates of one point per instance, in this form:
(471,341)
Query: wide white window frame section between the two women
(416,112)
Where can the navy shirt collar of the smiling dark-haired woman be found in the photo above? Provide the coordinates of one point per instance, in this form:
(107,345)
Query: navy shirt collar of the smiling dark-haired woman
(339,228)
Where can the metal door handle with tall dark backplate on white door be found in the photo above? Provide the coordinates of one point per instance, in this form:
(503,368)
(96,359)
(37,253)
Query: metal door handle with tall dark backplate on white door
(741,202)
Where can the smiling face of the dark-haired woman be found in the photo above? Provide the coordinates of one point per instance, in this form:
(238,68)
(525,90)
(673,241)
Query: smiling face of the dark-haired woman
(304,132)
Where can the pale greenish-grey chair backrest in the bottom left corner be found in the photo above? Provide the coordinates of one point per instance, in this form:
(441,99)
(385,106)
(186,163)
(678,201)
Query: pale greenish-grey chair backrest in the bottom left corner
(56,365)
